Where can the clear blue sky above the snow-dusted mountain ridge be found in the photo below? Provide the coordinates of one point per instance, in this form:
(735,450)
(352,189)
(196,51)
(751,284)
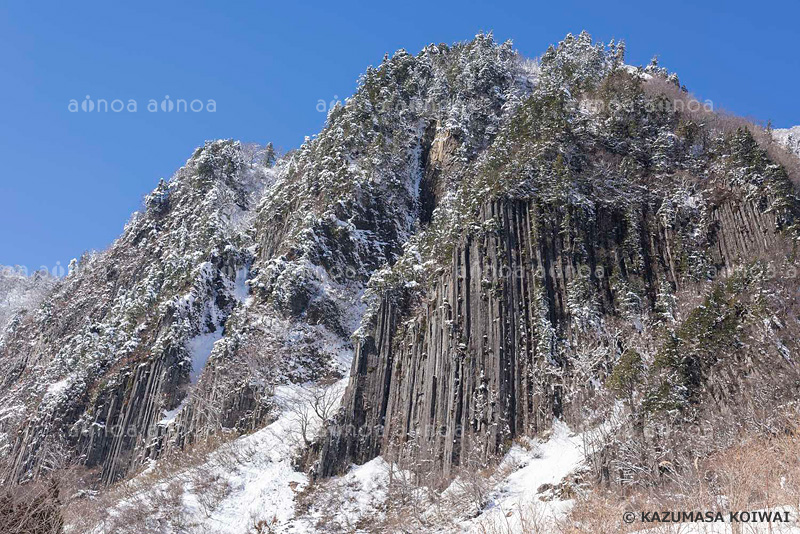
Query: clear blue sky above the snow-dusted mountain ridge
(69,181)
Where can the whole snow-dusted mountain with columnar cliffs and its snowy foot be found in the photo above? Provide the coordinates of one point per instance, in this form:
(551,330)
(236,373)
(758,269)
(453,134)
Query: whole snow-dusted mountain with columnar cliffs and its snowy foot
(480,263)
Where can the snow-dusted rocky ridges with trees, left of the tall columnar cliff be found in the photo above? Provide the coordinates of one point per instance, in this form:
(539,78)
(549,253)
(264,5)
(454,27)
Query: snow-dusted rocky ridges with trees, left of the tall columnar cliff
(240,275)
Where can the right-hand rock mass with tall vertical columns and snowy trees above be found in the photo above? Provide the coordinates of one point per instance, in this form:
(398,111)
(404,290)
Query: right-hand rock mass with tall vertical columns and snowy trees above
(527,319)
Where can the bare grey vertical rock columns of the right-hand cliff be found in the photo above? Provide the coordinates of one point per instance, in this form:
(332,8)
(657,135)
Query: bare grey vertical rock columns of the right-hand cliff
(489,354)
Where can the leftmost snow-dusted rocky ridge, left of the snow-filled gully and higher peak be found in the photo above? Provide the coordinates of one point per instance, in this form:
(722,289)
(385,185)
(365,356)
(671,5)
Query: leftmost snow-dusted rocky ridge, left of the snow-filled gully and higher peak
(87,378)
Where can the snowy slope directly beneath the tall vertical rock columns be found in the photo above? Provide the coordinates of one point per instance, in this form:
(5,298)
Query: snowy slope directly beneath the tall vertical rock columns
(520,492)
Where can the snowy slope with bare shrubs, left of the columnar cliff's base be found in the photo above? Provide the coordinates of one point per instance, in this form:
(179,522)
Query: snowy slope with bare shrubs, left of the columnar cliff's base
(246,482)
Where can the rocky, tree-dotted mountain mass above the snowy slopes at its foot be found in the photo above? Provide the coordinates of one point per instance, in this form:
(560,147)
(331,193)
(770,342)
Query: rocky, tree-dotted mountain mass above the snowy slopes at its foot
(509,239)
